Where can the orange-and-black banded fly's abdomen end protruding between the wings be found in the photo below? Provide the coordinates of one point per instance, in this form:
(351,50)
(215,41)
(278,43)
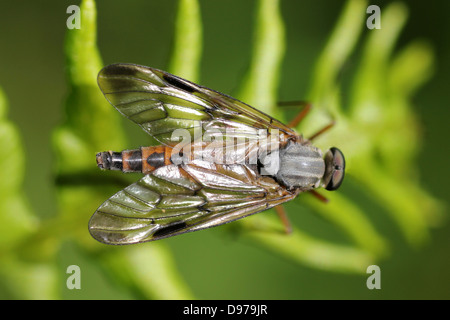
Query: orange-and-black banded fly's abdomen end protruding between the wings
(145,159)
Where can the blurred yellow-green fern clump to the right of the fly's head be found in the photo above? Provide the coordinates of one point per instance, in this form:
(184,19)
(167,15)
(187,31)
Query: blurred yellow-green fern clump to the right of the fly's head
(383,120)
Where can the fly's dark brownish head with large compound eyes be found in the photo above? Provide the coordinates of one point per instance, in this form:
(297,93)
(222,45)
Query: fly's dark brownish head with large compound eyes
(334,169)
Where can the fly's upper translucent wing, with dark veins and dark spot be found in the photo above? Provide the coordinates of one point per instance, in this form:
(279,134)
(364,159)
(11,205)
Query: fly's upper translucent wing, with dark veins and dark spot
(161,103)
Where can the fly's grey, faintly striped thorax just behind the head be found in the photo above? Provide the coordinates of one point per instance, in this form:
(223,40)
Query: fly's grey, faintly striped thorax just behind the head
(300,166)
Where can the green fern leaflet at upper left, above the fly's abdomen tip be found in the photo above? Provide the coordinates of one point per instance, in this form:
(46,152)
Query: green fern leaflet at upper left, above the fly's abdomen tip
(91,121)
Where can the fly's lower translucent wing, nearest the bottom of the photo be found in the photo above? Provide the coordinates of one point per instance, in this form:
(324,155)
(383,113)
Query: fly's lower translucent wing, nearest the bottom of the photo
(176,199)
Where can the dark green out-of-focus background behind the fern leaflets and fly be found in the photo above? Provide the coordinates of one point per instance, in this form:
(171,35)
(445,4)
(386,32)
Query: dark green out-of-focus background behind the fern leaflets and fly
(214,263)
